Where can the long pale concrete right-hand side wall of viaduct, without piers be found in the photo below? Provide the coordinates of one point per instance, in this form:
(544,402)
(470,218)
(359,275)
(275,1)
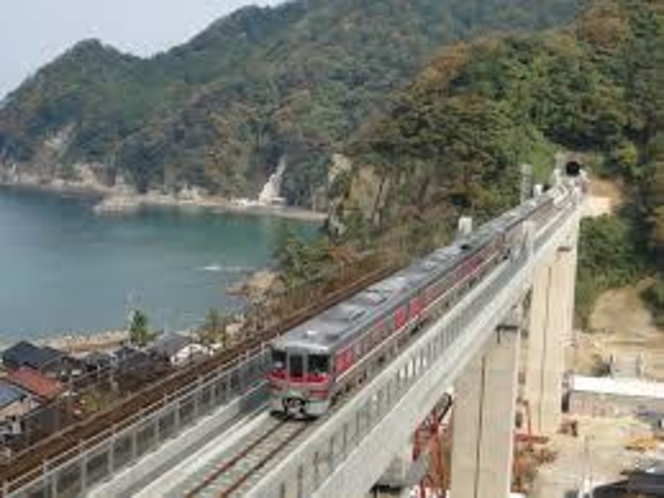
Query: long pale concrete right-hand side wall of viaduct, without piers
(405,390)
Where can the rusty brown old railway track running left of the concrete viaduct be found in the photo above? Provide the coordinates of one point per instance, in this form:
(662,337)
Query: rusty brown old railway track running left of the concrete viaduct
(65,445)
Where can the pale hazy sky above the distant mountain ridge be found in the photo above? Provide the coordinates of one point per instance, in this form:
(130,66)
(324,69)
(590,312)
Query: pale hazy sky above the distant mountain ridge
(33,32)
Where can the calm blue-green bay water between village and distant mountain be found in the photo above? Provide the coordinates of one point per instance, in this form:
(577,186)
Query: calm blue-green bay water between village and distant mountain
(64,269)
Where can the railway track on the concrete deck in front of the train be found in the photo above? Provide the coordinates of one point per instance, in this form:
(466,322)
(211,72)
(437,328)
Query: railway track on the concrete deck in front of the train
(232,474)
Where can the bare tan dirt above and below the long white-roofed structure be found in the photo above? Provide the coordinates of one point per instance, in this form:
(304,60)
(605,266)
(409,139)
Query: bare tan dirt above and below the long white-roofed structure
(621,329)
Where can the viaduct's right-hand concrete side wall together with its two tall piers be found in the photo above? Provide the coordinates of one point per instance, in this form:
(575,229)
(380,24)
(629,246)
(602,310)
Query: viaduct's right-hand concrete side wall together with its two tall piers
(476,350)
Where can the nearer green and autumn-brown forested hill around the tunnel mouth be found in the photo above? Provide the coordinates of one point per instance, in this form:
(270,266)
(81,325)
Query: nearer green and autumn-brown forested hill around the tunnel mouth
(452,142)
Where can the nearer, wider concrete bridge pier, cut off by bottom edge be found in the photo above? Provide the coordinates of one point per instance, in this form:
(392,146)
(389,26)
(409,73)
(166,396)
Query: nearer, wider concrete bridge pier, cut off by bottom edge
(483,421)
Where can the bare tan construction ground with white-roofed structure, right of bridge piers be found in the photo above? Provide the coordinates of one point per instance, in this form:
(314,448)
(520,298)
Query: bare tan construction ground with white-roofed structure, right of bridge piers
(612,428)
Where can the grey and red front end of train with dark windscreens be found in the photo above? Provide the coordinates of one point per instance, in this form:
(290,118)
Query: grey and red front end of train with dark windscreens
(301,376)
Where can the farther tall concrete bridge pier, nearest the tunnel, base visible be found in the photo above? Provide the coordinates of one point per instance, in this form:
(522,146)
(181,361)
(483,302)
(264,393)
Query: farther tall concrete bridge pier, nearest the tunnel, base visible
(551,315)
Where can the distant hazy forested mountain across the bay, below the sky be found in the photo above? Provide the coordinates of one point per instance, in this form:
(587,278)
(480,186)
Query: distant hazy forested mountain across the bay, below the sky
(262,85)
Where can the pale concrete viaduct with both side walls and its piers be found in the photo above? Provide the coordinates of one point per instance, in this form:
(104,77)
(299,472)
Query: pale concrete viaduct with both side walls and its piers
(474,349)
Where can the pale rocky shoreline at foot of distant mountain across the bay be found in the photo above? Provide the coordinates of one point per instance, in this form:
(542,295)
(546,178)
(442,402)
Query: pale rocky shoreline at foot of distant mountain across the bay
(120,201)
